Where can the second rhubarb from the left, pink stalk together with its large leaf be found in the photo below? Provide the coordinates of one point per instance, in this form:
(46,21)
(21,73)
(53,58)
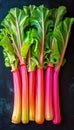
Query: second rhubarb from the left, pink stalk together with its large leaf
(15,23)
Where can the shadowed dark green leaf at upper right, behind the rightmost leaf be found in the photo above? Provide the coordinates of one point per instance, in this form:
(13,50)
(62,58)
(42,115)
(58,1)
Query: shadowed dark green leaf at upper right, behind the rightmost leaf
(57,15)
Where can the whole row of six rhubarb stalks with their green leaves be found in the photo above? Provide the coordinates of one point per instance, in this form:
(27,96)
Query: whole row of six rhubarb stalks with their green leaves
(34,41)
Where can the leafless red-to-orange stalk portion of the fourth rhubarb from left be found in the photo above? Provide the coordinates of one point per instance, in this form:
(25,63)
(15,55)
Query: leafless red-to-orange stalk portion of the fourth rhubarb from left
(39,108)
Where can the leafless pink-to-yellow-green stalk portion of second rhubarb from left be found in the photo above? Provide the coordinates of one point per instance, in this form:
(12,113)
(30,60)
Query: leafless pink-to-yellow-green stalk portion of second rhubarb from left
(25,107)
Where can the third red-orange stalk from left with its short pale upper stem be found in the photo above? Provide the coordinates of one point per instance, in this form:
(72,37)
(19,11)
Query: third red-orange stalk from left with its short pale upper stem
(31,73)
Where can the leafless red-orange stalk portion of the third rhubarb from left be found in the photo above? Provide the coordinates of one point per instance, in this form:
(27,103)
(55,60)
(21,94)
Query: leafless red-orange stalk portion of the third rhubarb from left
(32,95)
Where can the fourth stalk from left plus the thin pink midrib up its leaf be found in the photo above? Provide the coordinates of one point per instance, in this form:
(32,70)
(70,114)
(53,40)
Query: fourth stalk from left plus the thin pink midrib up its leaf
(39,112)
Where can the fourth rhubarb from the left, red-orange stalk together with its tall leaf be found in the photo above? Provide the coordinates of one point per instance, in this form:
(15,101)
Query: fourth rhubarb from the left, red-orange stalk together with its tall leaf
(40,21)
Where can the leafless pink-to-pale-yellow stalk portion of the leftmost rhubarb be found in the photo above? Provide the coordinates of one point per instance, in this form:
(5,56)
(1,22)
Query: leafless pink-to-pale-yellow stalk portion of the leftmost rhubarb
(17,107)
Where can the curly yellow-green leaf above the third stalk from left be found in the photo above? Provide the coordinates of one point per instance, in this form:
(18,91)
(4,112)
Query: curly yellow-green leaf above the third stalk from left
(31,39)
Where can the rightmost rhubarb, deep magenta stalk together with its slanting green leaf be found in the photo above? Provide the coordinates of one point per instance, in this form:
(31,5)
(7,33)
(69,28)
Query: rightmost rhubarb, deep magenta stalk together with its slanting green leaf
(60,44)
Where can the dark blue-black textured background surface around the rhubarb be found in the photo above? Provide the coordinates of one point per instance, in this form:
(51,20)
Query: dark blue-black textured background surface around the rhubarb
(66,76)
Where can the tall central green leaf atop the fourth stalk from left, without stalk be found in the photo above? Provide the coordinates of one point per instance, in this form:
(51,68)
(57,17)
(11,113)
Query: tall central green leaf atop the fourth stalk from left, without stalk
(40,20)
